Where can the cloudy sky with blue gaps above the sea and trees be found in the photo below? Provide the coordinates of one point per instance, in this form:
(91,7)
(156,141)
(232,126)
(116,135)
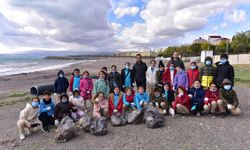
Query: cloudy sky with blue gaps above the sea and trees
(116,25)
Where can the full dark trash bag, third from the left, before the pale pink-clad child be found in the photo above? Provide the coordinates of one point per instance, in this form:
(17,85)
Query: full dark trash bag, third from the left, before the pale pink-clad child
(99,126)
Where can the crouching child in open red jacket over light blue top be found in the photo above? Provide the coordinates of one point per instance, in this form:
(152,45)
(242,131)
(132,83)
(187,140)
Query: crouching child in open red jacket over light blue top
(115,101)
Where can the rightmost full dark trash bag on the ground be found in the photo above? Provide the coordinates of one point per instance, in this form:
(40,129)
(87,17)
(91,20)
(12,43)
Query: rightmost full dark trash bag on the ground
(153,118)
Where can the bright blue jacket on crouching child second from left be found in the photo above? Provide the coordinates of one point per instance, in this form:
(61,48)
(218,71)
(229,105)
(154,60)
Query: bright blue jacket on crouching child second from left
(43,107)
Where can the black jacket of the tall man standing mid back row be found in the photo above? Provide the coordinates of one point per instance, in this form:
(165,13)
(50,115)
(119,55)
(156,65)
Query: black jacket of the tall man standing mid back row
(139,71)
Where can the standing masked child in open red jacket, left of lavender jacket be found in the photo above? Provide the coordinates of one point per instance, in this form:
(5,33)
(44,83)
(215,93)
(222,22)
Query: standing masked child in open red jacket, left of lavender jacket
(169,74)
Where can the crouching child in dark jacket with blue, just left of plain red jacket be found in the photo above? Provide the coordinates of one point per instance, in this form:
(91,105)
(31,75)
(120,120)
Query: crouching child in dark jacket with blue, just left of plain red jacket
(168,95)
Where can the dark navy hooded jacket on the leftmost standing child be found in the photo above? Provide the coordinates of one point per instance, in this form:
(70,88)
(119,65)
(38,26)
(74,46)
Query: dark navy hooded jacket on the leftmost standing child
(61,84)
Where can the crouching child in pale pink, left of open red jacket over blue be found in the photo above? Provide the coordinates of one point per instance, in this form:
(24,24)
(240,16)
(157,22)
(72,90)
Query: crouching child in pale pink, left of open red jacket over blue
(101,106)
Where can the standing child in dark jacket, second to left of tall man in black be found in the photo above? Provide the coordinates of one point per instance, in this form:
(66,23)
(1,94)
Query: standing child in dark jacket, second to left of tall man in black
(114,79)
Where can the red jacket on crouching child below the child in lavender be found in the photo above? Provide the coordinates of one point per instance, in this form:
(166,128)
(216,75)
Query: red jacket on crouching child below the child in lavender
(184,100)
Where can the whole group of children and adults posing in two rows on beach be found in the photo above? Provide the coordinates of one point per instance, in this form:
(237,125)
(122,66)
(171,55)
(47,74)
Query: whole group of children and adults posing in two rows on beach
(169,89)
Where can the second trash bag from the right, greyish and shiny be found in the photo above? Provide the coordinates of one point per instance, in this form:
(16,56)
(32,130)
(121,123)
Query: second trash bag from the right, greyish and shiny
(135,117)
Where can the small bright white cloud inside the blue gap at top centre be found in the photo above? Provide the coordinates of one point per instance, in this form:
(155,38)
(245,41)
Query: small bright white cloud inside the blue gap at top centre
(123,11)
